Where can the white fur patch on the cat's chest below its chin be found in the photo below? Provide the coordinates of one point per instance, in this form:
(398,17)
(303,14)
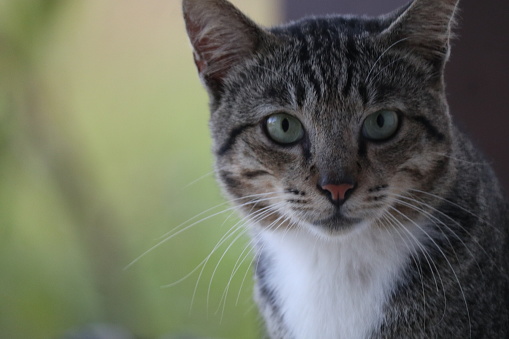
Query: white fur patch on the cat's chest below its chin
(332,289)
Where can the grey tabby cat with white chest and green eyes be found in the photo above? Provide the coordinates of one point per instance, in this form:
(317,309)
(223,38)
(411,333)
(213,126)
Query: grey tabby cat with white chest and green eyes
(371,215)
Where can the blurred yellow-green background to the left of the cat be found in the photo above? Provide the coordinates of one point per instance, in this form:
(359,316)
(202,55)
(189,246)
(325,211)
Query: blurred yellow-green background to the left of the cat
(103,132)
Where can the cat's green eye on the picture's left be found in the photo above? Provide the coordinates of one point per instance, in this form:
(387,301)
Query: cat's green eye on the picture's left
(284,128)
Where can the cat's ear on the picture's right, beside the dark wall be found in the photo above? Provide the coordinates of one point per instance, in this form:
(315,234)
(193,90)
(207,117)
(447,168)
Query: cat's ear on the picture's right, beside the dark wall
(424,27)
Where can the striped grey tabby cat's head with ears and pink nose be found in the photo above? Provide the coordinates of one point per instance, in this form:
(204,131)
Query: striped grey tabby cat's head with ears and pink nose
(326,123)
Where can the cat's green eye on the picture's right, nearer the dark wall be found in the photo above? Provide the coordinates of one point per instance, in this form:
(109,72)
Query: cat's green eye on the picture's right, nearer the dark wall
(380,125)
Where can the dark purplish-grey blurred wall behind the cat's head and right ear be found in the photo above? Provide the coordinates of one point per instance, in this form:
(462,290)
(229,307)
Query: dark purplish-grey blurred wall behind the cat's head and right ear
(478,72)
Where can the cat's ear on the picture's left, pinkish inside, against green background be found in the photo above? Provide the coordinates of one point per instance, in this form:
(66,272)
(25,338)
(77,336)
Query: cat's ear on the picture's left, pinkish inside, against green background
(221,36)
